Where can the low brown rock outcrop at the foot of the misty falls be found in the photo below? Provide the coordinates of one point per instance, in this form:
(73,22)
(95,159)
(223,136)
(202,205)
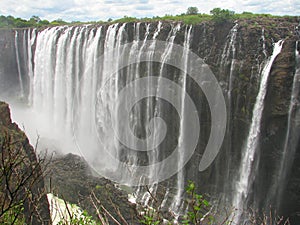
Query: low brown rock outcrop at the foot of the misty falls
(73,180)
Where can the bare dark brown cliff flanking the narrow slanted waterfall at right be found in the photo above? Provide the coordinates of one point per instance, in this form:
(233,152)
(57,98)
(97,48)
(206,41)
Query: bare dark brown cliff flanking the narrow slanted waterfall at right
(236,55)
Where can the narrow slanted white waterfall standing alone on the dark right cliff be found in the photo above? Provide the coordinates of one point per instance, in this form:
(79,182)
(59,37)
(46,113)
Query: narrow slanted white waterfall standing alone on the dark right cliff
(246,173)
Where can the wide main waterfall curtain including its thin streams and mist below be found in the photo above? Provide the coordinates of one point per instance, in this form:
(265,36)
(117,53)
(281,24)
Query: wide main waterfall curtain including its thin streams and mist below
(76,74)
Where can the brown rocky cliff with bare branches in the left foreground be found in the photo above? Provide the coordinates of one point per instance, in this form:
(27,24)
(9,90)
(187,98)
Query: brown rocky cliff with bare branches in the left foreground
(22,177)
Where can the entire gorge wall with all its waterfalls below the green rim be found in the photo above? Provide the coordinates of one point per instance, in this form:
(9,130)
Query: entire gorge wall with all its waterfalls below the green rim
(67,85)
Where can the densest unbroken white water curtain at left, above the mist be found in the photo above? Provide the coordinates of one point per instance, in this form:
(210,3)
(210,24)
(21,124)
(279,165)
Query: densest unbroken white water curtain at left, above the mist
(63,81)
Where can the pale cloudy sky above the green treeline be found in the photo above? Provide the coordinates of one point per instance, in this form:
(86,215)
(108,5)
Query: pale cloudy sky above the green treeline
(95,10)
